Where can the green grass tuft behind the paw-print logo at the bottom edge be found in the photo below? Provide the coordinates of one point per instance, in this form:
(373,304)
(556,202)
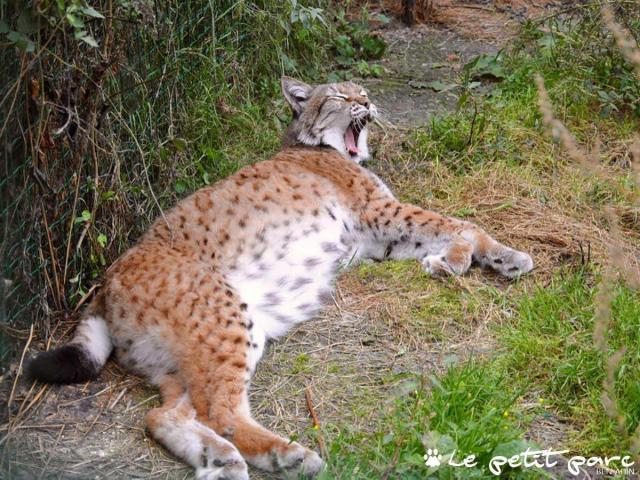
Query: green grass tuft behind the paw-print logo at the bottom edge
(468,410)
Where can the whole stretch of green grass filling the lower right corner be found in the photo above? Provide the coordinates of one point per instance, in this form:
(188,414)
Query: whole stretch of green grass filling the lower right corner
(475,407)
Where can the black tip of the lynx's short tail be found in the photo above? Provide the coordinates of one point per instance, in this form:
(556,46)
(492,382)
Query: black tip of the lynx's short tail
(64,365)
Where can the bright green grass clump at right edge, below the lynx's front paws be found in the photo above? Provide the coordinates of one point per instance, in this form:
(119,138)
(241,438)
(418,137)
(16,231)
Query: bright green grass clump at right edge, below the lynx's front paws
(550,345)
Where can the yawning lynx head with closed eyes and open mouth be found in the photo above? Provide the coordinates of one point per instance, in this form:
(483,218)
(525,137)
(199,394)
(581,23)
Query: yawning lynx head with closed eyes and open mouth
(334,115)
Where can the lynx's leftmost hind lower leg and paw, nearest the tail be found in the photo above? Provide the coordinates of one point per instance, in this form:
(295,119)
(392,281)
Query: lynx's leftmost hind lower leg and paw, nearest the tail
(174,424)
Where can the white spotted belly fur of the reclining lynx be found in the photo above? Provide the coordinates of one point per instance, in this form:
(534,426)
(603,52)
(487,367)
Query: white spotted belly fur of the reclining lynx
(294,276)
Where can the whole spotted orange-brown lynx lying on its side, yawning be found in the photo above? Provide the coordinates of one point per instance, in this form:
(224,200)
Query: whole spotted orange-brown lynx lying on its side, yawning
(191,306)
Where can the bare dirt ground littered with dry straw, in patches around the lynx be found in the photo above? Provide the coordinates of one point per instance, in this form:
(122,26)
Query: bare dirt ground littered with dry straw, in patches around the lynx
(351,355)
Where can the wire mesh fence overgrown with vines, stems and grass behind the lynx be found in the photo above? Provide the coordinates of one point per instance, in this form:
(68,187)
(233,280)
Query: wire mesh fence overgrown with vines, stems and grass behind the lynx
(94,103)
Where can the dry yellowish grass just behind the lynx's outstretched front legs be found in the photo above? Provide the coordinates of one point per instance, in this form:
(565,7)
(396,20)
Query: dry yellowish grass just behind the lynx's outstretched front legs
(535,213)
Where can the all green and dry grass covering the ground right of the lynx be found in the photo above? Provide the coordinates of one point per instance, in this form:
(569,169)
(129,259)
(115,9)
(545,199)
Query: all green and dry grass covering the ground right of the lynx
(492,161)
